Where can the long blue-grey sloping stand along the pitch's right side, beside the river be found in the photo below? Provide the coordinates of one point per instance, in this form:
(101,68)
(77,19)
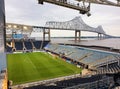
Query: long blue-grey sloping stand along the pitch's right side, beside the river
(82,55)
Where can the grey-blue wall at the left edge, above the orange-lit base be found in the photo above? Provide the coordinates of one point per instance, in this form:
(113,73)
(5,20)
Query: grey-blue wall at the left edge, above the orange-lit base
(2,36)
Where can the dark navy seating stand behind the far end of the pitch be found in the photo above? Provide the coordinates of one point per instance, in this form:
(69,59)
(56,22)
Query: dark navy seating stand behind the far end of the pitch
(29,44)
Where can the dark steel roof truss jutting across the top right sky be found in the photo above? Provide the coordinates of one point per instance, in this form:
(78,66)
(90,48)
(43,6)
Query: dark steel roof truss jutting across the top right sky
(81,5)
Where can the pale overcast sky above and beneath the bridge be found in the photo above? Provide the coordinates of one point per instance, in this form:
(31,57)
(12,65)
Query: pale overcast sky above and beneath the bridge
(29,12)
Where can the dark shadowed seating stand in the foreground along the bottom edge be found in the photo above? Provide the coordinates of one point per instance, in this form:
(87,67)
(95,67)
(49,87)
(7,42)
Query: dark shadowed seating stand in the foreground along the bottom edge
(93,82)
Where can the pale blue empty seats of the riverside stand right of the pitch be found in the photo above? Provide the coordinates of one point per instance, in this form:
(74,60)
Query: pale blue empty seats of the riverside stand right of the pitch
(79,54)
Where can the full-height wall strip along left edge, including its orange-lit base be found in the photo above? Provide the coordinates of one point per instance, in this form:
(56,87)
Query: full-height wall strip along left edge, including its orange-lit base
(2,46)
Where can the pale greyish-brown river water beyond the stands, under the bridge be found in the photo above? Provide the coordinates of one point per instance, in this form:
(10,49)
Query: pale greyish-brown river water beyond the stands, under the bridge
(111,42)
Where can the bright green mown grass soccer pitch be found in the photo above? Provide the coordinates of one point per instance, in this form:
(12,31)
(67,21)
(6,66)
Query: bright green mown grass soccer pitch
(30,67)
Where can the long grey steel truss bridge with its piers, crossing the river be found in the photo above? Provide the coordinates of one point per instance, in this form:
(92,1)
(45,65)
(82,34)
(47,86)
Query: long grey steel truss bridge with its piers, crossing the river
(76,24)
